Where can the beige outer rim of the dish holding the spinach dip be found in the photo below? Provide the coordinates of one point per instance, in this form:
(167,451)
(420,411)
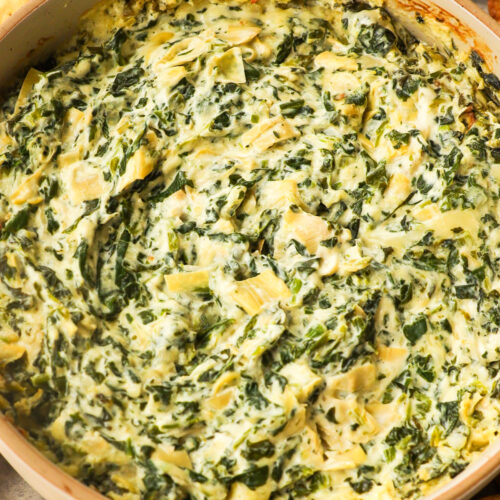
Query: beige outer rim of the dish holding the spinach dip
(54,484)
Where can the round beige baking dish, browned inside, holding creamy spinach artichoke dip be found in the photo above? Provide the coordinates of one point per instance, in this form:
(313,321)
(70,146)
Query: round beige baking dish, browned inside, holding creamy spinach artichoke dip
(39,26)
